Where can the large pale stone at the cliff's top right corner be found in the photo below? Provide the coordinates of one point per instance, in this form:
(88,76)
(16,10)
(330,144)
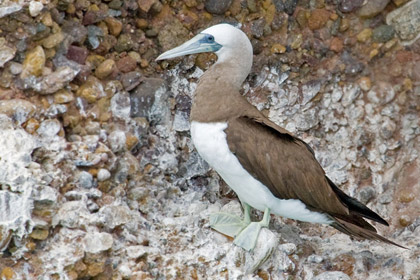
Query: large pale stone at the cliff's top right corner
(406,21)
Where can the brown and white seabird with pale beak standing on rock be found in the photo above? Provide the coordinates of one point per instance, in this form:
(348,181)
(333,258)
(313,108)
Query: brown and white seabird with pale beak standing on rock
(269,168)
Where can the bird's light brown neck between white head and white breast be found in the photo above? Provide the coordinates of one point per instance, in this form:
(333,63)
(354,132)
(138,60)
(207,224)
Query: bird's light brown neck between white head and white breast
(217,97)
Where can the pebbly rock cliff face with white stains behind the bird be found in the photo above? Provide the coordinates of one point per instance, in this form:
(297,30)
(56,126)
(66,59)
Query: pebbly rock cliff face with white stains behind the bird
(98,175)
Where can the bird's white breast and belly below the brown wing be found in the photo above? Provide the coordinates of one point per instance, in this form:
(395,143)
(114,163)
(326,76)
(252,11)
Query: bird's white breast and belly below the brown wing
(210,141)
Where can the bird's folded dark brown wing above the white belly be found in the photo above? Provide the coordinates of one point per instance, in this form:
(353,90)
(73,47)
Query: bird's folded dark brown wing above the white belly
(282,162)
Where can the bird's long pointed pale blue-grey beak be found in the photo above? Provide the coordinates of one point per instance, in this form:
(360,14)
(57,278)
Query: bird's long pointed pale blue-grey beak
(198,44)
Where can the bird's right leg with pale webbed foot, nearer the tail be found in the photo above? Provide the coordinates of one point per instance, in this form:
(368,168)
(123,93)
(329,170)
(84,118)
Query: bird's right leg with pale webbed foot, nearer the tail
(248,237)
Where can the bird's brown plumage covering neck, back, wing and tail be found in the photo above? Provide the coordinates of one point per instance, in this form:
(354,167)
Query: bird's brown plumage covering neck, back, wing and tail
(282,162)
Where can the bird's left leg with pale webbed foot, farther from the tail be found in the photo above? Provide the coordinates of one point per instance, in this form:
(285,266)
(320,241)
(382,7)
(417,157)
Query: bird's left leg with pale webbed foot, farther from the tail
(229,224)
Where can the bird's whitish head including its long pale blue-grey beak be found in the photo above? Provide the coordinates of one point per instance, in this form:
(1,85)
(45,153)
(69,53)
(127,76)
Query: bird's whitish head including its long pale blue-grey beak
(225,40)
